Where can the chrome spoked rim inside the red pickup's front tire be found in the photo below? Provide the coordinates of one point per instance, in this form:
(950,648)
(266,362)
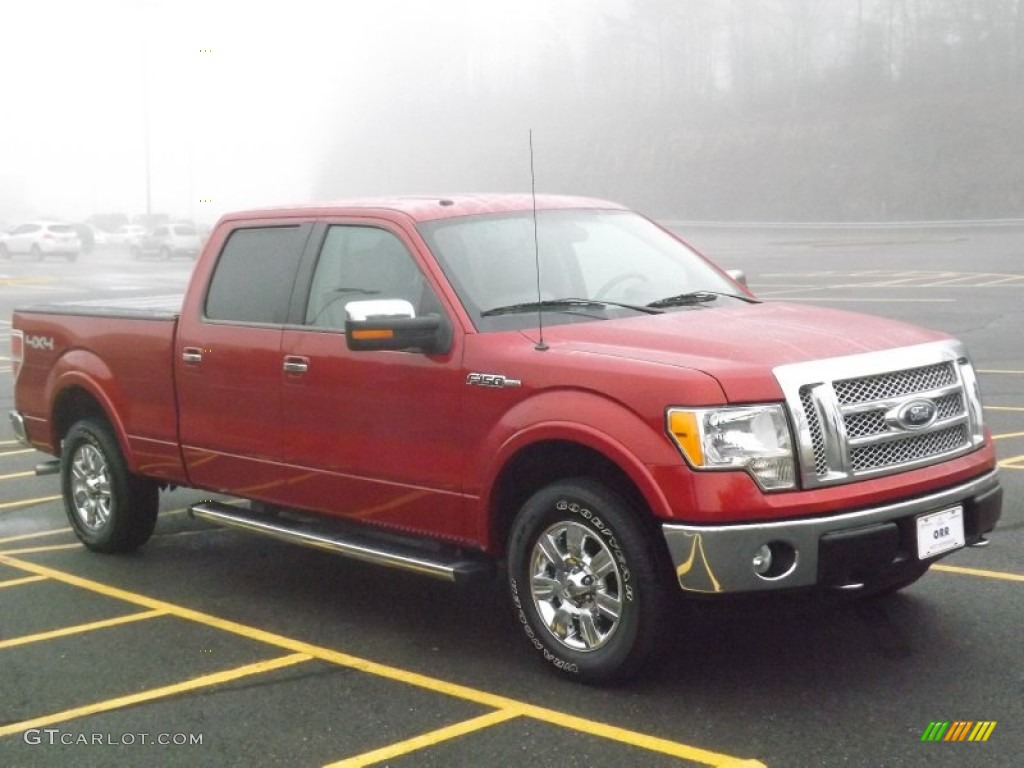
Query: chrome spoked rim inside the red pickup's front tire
(577,586)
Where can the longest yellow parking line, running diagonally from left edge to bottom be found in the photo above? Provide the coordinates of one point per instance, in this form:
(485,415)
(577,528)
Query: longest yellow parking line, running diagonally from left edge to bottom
(455,691)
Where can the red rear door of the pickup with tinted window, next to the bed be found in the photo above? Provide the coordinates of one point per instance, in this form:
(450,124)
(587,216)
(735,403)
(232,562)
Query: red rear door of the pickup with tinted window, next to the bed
(229,360)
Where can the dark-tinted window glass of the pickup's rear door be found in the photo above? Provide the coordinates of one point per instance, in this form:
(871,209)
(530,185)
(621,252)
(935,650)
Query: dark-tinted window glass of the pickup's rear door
(253,279)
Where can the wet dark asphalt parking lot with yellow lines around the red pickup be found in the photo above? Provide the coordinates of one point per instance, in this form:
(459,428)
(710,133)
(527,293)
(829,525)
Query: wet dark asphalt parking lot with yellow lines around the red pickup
(214,648)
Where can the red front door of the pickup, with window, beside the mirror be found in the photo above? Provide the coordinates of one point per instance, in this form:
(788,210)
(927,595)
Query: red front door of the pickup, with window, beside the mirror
(374,436)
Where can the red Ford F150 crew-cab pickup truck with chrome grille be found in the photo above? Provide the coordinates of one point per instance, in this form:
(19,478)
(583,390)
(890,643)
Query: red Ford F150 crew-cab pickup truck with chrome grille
(558,385)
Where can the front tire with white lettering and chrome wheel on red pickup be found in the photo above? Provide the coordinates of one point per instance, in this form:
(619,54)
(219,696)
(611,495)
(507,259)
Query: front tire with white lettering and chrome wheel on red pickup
(586,581)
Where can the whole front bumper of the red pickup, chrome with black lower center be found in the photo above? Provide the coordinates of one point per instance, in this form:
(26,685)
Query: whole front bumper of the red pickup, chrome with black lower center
(827,551)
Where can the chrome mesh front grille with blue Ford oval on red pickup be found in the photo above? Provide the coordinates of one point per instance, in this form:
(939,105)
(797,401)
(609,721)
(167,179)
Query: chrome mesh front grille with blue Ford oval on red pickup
(883,413)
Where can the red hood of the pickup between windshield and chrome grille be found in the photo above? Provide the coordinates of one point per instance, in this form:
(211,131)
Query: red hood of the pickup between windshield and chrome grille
(740,347)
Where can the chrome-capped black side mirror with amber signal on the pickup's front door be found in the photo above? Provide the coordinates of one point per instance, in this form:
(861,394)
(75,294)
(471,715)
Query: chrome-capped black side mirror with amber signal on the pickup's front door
(393,325)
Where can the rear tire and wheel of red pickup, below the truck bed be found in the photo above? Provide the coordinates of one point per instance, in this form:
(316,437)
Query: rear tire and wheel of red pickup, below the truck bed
(110,509)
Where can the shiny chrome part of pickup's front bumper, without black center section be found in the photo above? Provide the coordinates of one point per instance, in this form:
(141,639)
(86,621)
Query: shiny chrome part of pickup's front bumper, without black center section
(718,560)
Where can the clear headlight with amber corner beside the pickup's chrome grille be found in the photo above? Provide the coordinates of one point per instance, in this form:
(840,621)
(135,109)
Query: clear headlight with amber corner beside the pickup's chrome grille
(754,439)
